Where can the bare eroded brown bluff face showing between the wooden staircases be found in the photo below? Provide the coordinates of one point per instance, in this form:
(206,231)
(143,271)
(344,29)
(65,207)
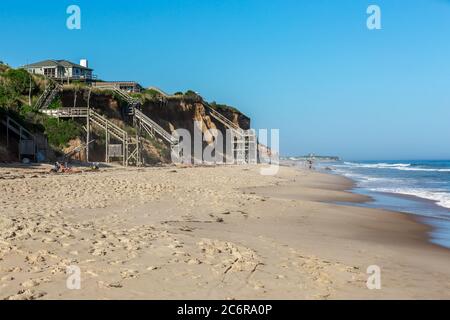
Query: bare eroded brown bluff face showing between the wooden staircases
(170,113)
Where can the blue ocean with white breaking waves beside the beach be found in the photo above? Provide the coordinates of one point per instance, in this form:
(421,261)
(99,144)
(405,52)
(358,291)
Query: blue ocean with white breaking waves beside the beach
(416,187)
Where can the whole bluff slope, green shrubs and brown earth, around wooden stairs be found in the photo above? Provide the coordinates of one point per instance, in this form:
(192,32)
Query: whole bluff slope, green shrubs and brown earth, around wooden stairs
(20,90)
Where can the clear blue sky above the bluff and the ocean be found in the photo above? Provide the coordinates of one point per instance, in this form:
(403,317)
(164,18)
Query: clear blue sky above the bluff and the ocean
(310,68)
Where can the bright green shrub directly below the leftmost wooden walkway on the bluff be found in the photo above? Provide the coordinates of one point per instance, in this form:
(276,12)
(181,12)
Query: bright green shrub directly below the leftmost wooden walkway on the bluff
(59,133)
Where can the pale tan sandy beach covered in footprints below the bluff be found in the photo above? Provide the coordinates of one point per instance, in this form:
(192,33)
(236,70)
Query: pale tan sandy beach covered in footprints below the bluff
(206,233)
